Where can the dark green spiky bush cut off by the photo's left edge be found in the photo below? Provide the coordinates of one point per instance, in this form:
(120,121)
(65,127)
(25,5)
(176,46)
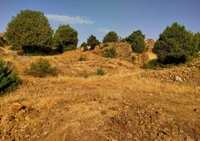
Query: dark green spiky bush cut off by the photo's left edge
(8,79)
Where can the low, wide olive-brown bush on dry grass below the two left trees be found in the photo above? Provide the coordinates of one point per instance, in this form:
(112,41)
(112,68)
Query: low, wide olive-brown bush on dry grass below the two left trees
(41,68)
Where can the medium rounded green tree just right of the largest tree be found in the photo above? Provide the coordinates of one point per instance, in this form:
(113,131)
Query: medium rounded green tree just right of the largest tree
(66,38)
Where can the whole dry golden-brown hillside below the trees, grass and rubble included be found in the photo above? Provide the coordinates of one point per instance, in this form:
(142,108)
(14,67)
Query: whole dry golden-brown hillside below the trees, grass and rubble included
(127,103)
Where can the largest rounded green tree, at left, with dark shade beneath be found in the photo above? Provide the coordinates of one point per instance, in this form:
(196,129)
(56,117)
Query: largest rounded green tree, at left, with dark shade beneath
(31,30)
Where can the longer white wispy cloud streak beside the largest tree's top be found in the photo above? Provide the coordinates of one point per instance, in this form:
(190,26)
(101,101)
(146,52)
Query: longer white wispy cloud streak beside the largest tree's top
(69,20)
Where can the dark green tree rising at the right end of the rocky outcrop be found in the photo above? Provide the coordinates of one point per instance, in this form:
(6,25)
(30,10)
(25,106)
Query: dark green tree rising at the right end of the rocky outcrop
(136,39)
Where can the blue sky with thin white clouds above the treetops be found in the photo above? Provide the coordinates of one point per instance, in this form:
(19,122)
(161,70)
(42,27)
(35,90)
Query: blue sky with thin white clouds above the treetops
(97,17)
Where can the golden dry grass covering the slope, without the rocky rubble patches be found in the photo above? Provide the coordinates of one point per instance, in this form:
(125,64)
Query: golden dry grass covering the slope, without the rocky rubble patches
(70,106)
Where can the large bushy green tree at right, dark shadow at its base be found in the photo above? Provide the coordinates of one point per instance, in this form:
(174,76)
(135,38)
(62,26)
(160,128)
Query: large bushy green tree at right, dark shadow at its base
(175,45)
